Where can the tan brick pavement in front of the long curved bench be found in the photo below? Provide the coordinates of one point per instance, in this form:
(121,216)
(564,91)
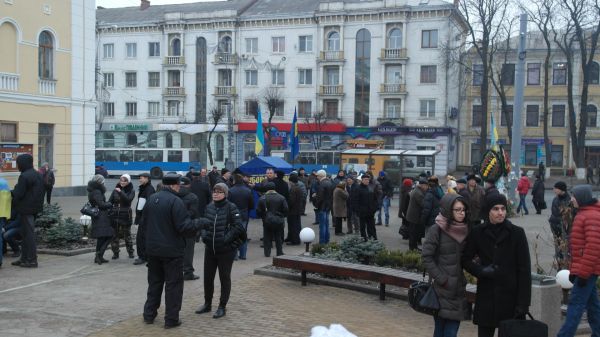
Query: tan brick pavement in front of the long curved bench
(264,306)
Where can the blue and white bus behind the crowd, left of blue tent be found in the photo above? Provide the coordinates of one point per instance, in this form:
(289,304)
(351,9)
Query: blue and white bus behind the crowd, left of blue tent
(155,161)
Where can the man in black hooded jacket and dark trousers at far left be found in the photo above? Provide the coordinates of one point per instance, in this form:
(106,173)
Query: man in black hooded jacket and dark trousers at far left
(27,199)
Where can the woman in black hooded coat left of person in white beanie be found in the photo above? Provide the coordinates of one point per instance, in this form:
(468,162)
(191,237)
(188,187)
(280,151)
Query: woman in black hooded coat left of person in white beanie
(102,230)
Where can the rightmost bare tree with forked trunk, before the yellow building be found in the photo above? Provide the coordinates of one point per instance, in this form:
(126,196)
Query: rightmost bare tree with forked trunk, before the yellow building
(578,37)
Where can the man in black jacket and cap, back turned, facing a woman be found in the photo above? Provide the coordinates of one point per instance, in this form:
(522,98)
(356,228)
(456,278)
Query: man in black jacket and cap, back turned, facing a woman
(167,225)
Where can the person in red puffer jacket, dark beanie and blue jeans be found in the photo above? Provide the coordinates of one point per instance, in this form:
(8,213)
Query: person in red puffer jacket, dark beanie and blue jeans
(585,262)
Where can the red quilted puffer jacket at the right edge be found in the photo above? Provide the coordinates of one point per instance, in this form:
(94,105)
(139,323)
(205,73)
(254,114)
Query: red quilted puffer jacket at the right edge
(585,242)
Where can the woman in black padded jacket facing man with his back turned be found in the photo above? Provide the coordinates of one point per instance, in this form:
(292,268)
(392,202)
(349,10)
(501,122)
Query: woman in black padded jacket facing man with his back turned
(222,234)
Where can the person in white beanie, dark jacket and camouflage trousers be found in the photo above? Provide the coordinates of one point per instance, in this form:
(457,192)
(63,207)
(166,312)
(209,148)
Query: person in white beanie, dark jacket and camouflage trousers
(121,216)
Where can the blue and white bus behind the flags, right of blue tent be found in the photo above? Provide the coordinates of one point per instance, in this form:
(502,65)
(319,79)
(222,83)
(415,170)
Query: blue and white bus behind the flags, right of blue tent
(328,160)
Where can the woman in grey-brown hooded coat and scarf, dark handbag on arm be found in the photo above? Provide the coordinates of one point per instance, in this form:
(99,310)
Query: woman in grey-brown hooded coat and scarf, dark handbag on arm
(444,242)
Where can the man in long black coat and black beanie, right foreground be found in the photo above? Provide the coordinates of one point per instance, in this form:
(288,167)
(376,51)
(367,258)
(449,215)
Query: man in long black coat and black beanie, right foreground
(502,269)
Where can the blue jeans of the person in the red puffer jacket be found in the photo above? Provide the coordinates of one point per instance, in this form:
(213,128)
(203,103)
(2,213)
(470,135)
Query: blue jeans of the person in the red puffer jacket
(582,298)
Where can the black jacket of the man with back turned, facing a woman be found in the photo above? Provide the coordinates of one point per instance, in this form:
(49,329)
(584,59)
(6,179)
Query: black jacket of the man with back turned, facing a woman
(167,224)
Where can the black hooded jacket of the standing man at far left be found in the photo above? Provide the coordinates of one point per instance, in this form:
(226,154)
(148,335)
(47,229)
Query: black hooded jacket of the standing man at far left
(28,194)
